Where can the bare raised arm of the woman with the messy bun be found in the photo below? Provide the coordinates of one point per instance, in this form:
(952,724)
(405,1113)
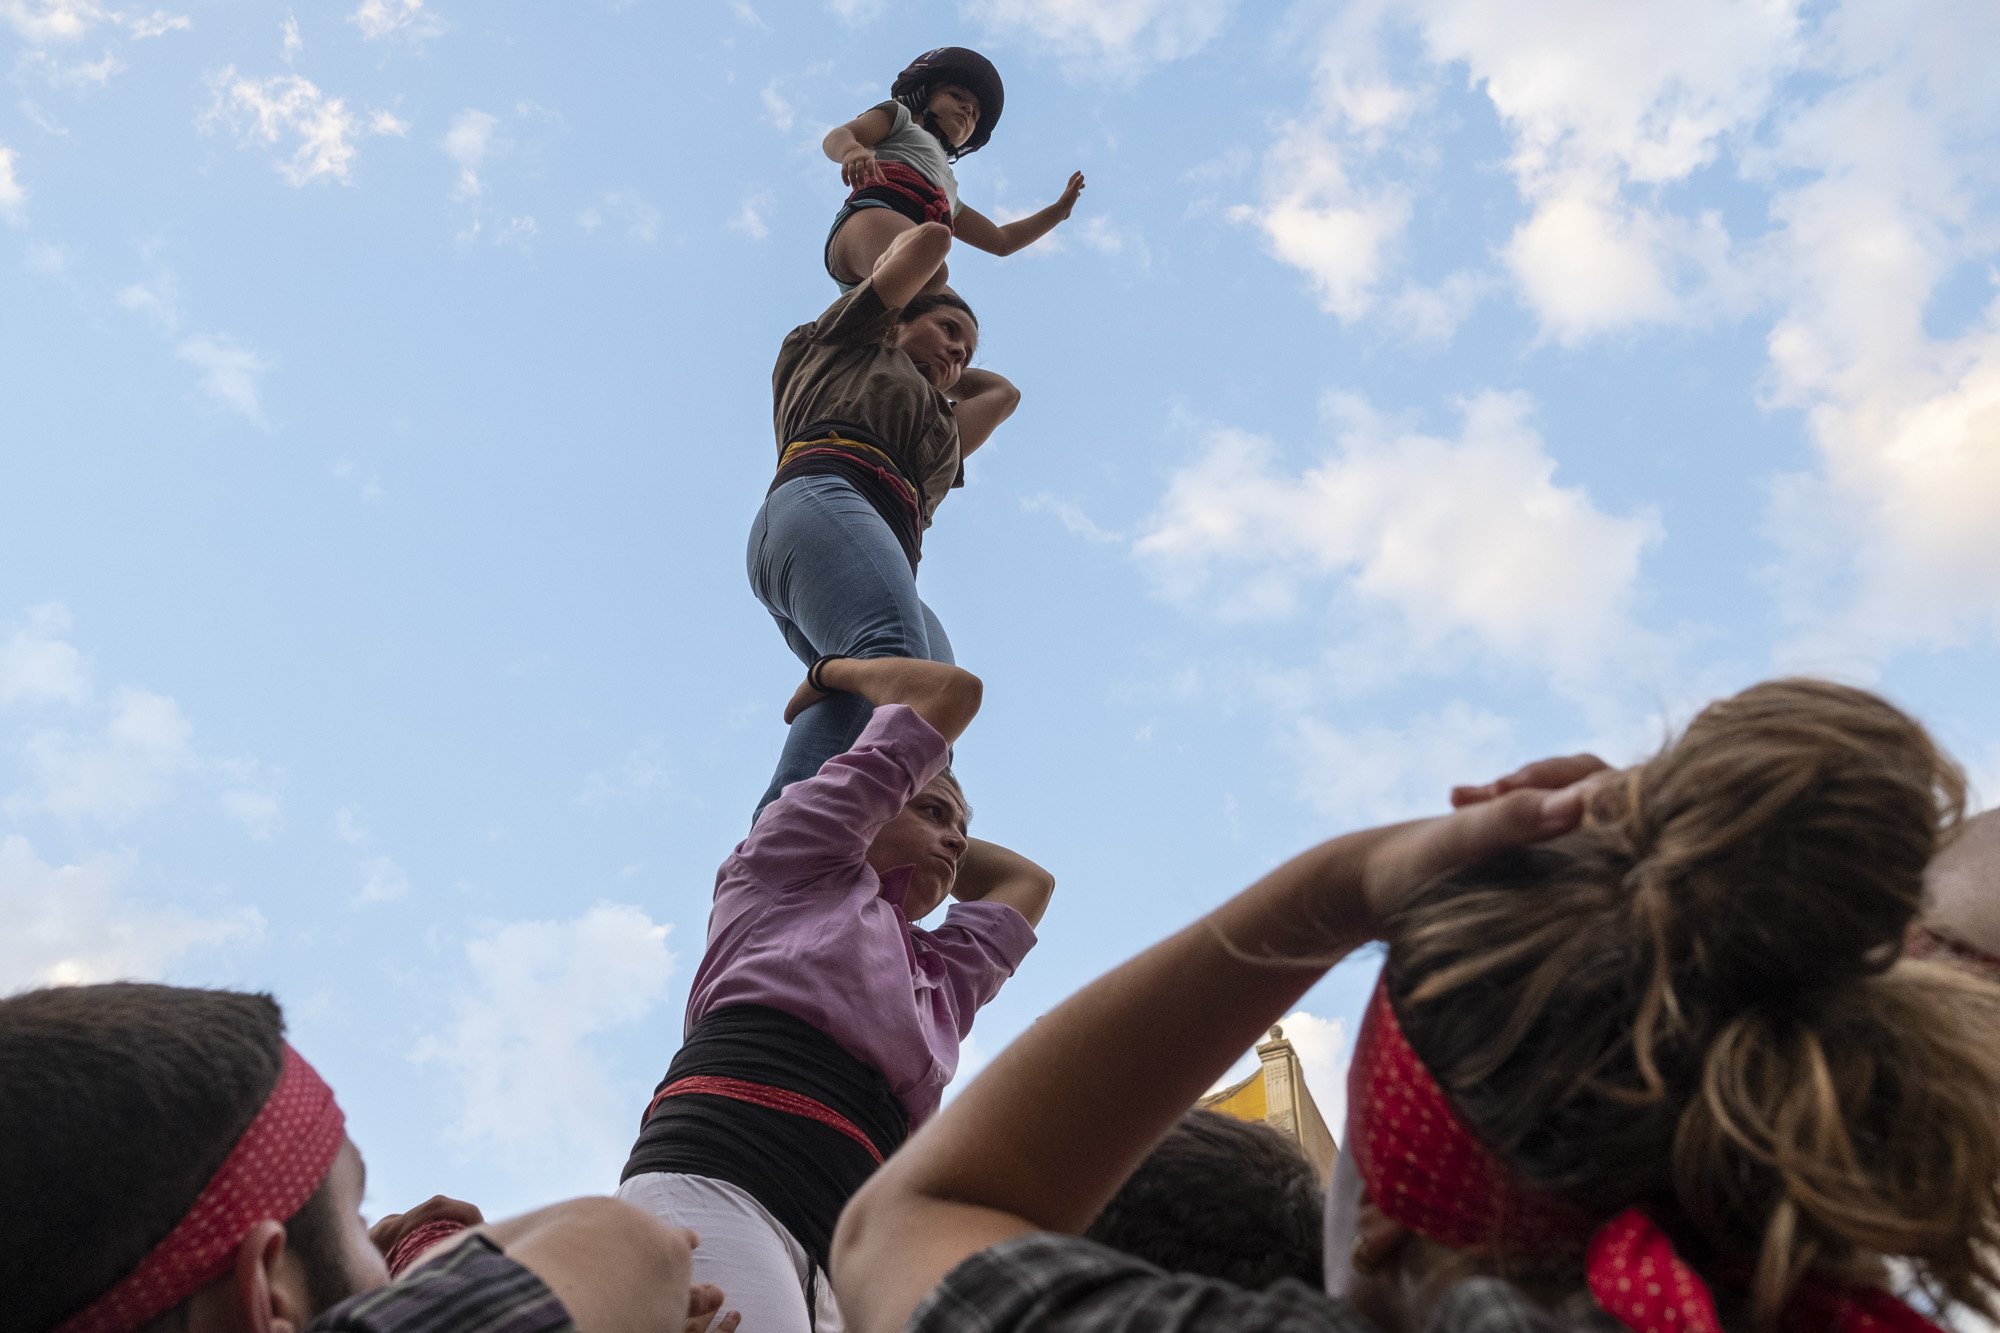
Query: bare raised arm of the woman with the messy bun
(1049,1132)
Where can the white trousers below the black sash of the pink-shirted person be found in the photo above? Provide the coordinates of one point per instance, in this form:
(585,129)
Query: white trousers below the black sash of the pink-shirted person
(745,1250)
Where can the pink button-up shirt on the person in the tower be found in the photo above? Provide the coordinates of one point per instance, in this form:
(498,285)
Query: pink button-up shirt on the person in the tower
(805,926)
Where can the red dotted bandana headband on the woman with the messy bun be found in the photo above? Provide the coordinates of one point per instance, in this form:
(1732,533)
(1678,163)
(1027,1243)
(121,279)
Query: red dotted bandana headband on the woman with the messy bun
(1427,1172)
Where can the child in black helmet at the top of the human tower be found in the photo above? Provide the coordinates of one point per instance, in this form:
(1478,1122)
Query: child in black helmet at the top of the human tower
(897,159)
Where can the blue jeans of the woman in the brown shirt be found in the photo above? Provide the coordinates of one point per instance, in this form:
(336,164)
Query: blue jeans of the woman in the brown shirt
(835,579)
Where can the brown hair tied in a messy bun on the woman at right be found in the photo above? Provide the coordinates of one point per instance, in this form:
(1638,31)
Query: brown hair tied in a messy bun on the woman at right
(1699,1004)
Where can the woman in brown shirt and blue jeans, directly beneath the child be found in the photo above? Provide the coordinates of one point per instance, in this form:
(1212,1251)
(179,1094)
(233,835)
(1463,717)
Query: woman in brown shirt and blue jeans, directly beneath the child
(875,413)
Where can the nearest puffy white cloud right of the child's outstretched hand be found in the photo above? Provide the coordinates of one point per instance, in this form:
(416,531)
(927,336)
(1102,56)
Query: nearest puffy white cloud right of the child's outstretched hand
(1315,219)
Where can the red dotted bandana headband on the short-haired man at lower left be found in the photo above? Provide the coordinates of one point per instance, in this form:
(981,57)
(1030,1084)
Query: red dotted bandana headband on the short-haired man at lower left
(275,1168)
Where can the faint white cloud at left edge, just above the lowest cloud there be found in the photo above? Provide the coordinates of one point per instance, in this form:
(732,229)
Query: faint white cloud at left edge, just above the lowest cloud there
(115,772)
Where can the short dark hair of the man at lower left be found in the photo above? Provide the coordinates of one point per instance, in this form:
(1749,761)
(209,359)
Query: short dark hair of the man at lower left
(117,1106)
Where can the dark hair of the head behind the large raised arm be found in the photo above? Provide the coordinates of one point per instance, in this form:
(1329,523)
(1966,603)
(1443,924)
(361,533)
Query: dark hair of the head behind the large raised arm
(1221,1198)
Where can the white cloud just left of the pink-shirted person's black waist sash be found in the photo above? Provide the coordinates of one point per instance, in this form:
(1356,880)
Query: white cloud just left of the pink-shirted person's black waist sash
(521,1042)
